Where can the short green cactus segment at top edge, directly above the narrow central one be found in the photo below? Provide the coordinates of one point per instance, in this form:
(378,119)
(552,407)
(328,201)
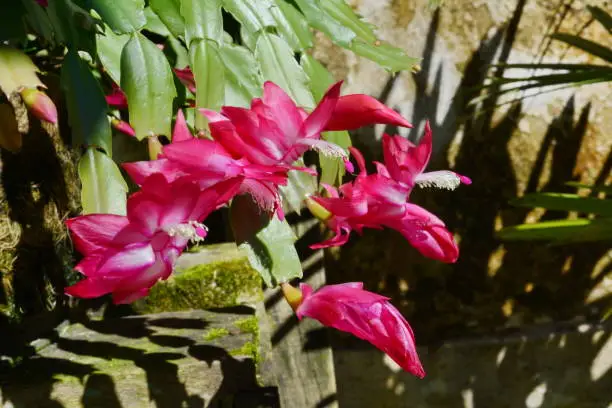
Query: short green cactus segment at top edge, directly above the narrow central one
(203,20)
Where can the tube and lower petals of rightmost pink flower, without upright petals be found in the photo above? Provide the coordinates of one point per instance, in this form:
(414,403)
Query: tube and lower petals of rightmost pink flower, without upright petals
(376,201)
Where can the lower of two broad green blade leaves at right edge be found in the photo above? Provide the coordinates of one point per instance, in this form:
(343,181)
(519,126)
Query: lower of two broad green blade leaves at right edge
(560,231)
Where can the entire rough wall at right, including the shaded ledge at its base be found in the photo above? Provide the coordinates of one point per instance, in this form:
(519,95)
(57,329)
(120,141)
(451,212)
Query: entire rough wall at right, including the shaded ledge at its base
(495,288)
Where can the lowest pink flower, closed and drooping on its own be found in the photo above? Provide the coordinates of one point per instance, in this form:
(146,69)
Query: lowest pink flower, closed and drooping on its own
(369,316)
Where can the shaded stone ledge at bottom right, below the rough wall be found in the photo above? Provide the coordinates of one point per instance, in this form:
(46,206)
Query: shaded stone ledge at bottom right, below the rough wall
(568,368)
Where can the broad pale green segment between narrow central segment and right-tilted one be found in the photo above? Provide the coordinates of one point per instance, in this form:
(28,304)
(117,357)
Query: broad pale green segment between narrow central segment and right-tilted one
(242,72)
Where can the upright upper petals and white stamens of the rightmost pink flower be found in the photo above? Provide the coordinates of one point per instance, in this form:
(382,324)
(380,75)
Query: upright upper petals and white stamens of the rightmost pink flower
(405,163)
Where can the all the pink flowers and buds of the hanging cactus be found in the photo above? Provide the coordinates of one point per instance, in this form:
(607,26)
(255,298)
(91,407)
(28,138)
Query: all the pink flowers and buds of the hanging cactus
(251,152)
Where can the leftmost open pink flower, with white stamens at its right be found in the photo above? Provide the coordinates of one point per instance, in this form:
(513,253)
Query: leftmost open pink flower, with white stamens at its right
(127,255)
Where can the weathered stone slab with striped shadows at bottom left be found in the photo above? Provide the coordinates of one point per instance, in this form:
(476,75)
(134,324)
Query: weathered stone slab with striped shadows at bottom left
(178,359)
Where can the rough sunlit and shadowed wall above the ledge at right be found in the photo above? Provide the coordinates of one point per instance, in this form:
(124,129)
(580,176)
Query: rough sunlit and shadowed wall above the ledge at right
(533,144)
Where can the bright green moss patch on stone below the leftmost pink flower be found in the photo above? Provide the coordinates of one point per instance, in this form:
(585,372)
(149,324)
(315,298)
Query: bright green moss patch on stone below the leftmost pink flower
(219,284)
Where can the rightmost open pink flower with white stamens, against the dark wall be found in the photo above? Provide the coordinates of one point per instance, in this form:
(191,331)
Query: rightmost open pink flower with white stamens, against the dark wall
(381,199)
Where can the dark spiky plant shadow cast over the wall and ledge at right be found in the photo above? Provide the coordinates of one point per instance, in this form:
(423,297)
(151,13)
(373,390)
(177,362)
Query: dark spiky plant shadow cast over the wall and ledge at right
(494,289)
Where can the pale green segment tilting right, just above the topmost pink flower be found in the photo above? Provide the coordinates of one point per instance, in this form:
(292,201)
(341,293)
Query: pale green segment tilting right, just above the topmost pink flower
(279,66)
